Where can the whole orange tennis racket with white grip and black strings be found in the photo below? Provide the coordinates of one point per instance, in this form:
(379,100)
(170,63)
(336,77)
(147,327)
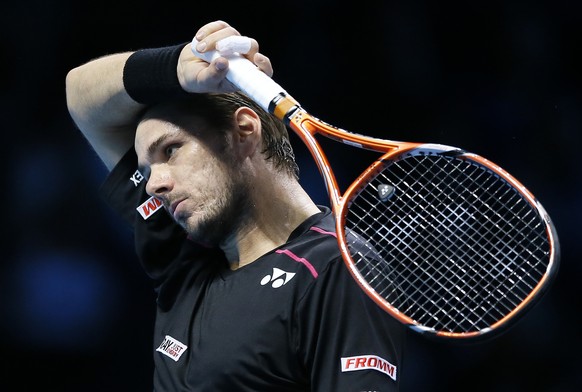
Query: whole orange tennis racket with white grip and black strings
(442,239)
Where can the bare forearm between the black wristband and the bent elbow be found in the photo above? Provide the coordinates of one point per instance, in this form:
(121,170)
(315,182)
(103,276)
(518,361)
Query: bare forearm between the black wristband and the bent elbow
(101,107)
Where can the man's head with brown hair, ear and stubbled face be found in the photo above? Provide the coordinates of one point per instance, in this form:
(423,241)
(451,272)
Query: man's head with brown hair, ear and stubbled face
(201,156)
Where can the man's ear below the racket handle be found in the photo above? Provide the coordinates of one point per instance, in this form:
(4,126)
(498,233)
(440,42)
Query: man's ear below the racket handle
(247,137)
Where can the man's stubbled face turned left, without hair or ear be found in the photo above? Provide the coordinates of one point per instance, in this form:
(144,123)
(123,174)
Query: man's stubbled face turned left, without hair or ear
(195,177)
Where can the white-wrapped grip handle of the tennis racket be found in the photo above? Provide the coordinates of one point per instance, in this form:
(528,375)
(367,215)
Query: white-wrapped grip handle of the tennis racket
(246,76)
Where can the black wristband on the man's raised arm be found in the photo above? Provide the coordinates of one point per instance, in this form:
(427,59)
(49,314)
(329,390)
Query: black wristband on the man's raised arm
(150,76)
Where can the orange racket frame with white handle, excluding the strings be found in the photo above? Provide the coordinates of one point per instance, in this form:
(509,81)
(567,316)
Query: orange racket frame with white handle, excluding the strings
(273,98)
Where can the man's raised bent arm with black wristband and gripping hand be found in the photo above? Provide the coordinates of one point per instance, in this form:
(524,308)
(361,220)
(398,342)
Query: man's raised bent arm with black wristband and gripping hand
(106,95)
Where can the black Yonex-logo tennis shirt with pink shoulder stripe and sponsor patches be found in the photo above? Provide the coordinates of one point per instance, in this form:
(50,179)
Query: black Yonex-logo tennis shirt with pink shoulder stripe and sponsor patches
(292,320)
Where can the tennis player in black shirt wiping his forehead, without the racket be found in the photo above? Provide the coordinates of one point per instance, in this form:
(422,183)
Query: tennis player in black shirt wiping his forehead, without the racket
(252,293)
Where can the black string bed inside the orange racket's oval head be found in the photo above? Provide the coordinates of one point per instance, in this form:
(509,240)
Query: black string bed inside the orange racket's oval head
(456,248)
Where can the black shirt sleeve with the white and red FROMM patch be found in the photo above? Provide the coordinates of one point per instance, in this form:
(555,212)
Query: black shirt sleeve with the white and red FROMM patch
(350,344)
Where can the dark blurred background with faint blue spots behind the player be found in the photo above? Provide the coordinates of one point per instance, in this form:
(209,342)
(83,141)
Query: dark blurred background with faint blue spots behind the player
(498,78)
